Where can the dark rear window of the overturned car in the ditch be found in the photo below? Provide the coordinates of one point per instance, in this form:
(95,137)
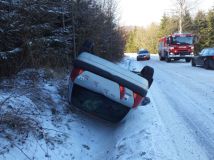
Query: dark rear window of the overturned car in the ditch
(98,105)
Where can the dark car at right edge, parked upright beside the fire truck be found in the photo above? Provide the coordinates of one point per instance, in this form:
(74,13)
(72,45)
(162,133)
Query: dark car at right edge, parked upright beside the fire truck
(205,58)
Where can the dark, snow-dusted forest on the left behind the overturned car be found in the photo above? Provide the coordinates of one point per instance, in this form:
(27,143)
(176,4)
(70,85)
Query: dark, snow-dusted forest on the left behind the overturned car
(40,33)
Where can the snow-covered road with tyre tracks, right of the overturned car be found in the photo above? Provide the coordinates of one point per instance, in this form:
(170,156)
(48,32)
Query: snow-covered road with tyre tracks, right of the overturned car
(182,100)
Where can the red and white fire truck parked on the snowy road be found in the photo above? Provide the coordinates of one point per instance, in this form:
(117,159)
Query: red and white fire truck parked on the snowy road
(176,46)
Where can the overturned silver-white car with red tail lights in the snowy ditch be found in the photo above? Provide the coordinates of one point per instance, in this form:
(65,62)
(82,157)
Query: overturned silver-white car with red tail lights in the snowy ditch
(104,89)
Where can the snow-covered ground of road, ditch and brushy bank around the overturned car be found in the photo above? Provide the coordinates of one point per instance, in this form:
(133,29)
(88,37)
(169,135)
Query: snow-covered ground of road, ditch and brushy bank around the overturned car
(178,124)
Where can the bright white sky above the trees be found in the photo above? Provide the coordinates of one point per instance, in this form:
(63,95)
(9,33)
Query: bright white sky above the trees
(144,12)
